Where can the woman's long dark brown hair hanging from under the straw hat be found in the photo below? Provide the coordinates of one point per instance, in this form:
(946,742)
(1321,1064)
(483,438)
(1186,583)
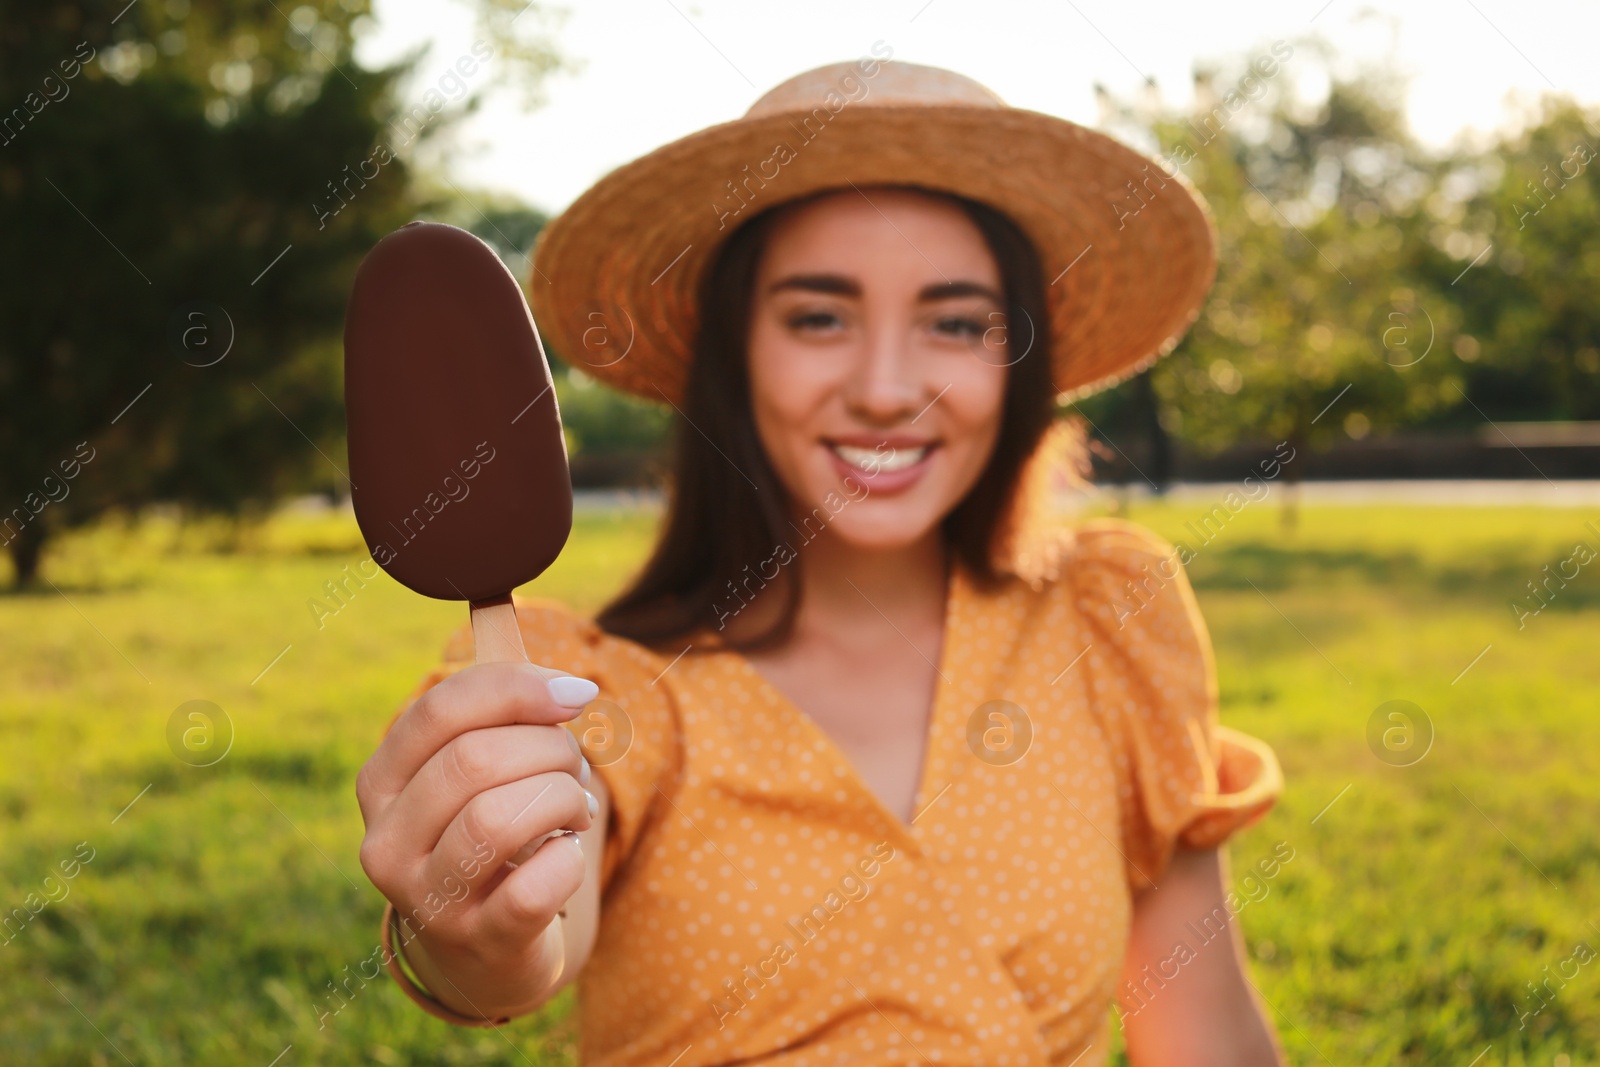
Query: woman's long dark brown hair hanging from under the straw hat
(729,511)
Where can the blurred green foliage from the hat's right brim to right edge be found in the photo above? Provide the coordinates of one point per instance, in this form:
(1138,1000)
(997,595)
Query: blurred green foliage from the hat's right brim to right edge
(1351,298)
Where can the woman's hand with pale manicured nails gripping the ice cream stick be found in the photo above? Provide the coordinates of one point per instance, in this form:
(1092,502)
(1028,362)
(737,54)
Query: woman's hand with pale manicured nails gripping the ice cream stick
(473,772)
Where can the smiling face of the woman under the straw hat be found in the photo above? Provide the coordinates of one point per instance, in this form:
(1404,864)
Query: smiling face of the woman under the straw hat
(878,362)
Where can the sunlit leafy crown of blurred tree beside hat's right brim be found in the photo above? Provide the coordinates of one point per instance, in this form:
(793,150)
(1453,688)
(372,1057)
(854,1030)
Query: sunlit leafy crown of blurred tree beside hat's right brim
(1292,322)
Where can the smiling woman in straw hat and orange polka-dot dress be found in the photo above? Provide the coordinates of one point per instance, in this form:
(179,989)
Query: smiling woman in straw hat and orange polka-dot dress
(882,769)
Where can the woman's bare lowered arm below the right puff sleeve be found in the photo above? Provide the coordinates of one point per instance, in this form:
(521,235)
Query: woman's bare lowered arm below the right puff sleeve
(1185,997)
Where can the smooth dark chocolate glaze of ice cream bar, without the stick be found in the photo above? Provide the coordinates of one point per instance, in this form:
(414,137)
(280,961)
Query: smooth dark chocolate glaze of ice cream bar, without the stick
(458,466)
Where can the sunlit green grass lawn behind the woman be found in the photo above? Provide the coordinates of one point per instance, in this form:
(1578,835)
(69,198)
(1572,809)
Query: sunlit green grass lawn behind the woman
(1418,906)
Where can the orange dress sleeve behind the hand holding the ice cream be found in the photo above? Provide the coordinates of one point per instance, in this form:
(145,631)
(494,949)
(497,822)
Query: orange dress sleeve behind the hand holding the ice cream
(630,733)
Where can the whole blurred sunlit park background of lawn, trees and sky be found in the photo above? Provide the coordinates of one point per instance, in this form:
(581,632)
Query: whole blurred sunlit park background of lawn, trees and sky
(198,657)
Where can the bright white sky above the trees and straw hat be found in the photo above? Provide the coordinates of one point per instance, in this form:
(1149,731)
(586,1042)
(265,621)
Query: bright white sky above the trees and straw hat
(654,71)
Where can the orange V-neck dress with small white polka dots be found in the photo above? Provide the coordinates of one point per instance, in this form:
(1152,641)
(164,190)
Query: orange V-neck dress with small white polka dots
(762,906)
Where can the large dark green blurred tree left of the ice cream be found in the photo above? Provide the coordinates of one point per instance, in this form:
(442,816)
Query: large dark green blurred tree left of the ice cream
(186,188)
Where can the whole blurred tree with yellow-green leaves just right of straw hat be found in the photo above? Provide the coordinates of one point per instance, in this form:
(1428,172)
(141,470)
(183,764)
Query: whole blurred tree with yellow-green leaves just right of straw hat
(1321,322)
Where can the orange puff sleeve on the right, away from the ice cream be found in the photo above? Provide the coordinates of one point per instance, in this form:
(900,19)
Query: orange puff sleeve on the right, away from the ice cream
(1183,780)
